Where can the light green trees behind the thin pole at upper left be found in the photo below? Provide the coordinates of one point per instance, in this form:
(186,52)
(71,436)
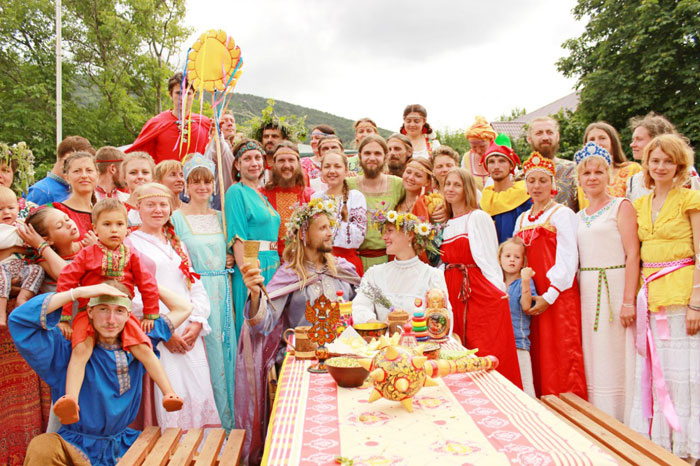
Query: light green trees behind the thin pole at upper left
(117,58)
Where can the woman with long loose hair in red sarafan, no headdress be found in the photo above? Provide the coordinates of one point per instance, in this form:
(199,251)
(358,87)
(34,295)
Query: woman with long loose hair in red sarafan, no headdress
(474,278)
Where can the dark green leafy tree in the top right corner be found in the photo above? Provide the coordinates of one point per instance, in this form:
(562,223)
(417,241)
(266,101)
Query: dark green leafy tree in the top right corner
(636,56)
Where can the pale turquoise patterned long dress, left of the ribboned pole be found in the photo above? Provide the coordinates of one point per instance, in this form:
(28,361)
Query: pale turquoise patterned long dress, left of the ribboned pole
(206,243)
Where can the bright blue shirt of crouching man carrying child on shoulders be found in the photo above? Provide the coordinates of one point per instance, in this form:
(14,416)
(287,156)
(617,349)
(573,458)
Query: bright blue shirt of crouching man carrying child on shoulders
(111,392)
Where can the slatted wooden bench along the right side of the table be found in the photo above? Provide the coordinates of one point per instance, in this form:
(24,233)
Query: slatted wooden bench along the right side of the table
(622,443)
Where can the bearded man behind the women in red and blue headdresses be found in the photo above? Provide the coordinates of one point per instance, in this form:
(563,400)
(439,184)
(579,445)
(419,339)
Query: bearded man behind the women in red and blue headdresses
(543,136)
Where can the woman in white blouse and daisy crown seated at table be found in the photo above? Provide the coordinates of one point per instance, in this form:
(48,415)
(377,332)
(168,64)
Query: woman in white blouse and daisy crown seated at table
(397,284)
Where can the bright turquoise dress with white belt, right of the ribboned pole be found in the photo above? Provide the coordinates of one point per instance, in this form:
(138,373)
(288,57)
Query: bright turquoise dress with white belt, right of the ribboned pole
(250,217)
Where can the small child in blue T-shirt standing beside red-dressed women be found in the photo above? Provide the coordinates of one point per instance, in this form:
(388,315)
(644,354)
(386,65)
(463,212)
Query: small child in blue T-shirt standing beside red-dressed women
(521,289)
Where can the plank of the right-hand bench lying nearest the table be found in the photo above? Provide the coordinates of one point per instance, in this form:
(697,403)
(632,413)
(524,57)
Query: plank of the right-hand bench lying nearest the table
(604,436)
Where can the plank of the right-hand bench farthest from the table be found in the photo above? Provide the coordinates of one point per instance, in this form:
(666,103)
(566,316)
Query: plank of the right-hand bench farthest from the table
(652,450)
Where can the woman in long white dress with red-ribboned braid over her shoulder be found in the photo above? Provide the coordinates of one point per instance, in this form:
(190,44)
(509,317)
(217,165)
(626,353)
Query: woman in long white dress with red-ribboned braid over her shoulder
(183,356)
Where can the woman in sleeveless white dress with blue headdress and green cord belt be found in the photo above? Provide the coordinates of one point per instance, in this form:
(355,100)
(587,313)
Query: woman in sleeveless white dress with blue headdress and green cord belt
(609,271)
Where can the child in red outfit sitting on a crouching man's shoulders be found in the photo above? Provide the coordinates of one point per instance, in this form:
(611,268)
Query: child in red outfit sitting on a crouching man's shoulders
(108,259)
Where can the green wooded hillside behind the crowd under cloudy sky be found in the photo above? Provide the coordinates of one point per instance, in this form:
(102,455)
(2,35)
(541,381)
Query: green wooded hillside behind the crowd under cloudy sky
(245,106)
